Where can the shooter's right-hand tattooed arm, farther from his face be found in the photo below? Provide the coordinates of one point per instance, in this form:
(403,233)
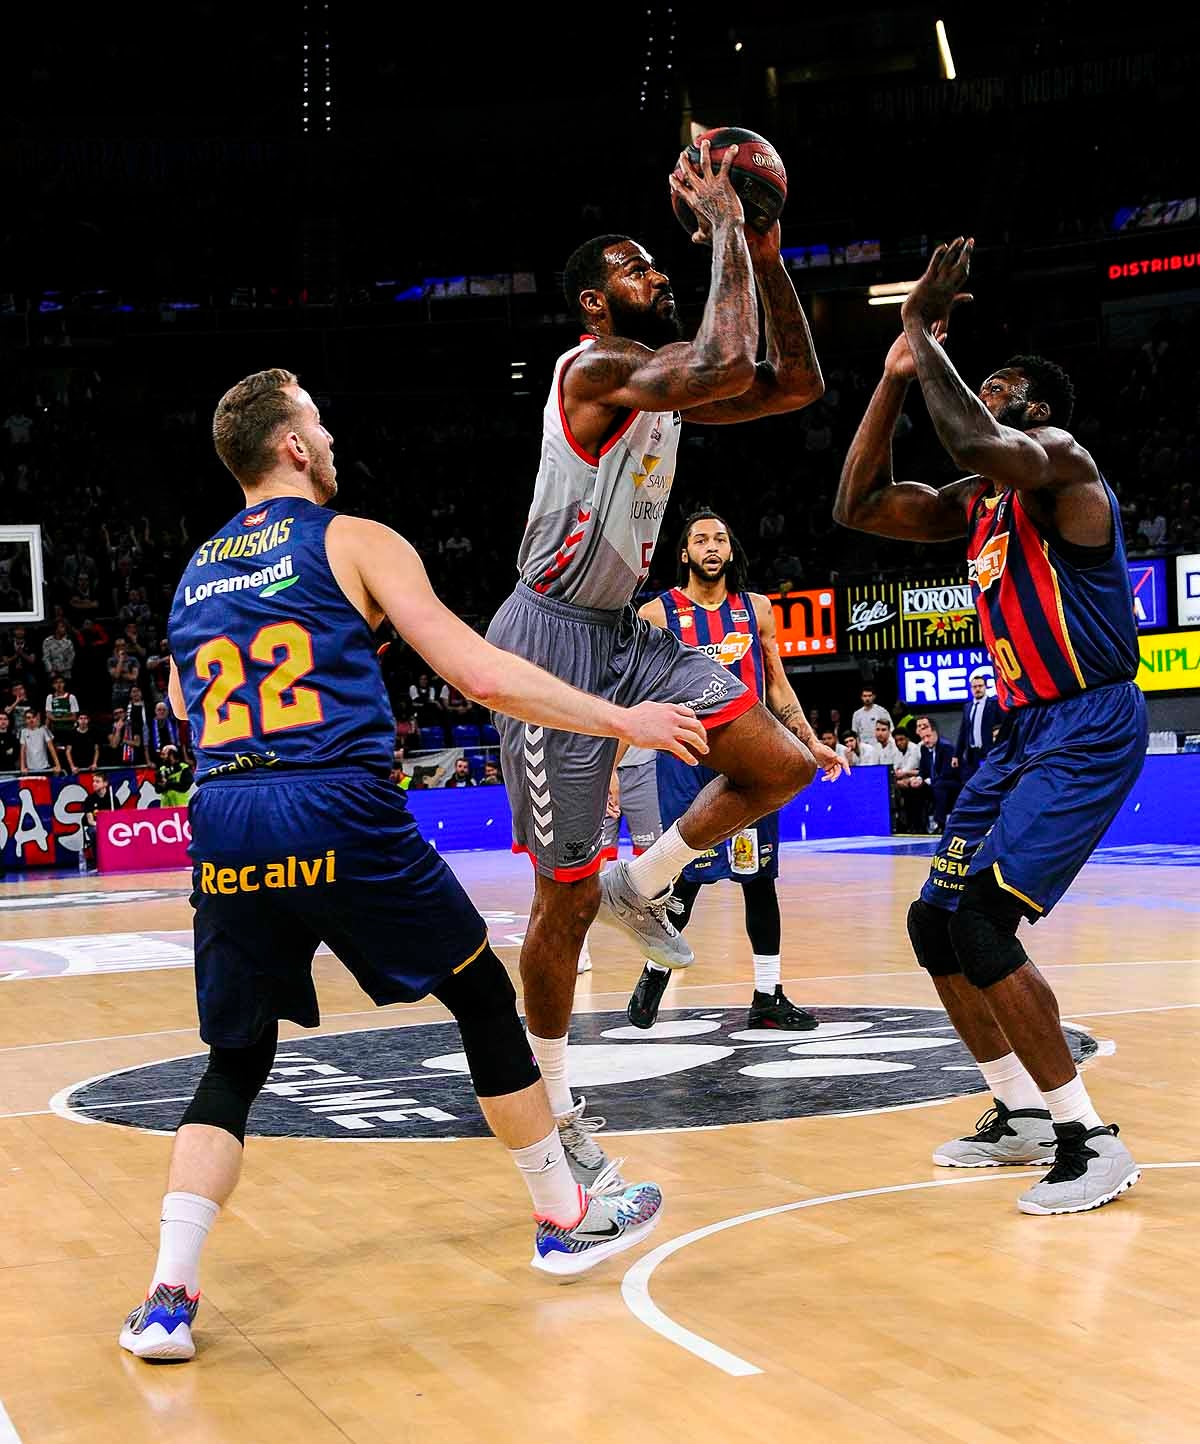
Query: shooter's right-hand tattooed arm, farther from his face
(791,376)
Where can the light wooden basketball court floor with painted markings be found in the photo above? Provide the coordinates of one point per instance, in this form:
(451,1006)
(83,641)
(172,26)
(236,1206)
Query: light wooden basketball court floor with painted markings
(815,1276)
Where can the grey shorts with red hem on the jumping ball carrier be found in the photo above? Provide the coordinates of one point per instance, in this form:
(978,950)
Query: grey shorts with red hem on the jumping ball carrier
(558,782)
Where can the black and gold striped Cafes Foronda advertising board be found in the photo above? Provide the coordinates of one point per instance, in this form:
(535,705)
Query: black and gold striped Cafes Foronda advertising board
(905,616)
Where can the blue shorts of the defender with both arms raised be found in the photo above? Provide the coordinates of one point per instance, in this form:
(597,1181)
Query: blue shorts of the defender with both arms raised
(1043,798)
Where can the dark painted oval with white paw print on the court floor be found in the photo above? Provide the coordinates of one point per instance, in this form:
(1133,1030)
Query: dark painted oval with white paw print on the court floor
(697,1068)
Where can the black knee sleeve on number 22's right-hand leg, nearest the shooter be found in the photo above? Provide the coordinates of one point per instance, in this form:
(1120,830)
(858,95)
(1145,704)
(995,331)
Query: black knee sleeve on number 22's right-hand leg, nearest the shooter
(484,1006)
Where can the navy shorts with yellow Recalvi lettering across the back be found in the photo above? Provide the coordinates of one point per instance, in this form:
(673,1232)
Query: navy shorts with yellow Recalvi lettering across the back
(287,861)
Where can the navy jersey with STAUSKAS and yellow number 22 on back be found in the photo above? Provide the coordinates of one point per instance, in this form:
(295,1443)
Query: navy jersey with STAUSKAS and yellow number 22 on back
(278,668)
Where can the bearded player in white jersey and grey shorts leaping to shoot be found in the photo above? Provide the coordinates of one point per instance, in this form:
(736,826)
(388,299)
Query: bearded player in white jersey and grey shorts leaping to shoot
(609,454)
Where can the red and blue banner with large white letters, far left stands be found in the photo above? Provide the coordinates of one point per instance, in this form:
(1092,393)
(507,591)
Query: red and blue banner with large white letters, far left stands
(41,818)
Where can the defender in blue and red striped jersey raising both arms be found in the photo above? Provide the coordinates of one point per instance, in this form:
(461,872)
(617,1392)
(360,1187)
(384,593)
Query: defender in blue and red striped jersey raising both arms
(1048,571)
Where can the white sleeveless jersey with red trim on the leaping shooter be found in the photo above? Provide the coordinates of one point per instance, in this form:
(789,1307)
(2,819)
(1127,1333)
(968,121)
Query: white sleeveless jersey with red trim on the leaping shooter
(594,521)
